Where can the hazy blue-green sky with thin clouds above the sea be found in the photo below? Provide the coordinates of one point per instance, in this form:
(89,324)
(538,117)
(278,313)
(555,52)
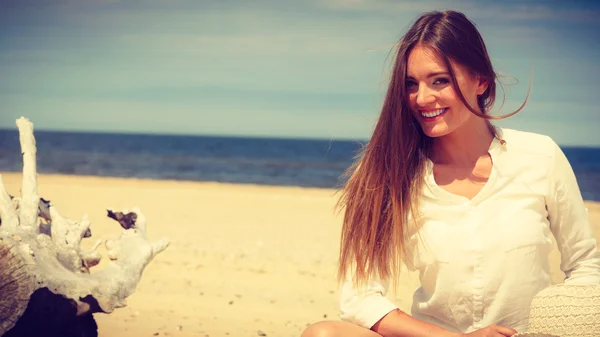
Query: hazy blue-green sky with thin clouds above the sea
(310,69)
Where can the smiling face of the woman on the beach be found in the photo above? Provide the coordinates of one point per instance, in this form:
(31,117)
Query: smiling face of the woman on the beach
(433,102)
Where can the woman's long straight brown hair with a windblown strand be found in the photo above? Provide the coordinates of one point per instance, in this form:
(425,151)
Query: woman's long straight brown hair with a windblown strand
(384,184)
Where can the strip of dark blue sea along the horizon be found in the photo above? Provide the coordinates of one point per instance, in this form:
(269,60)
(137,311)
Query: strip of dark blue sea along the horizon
(263,161)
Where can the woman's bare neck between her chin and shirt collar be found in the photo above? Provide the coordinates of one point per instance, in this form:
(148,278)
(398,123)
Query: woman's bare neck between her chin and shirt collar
(464,146)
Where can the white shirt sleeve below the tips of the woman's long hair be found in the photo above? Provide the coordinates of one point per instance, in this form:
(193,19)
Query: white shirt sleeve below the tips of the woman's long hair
(364,305)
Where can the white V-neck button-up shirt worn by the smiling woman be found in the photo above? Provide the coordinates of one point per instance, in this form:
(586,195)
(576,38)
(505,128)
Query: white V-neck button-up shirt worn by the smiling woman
(481,261)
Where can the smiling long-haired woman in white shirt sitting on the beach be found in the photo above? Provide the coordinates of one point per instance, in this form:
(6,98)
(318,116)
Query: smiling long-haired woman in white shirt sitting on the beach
(469,206)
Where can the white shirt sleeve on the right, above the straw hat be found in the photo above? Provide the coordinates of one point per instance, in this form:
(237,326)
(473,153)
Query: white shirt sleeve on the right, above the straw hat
(570,224)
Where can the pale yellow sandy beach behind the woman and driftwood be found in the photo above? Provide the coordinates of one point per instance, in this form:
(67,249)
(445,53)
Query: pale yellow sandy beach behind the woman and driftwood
(244,260)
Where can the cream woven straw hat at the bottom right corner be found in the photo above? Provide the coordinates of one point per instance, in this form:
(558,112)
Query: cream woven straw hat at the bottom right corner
(565,310)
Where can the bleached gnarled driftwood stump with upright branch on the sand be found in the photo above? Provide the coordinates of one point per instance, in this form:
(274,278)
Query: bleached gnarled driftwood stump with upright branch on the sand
(46,287)
